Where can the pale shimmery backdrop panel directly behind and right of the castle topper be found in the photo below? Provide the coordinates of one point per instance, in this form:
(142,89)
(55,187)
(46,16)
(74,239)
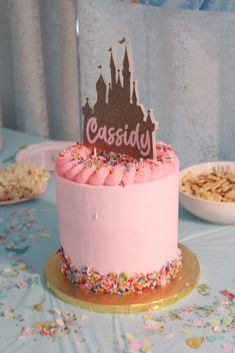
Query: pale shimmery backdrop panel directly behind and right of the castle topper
(184,62)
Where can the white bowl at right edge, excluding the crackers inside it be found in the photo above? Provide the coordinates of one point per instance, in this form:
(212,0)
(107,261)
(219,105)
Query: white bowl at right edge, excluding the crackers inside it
(212,211)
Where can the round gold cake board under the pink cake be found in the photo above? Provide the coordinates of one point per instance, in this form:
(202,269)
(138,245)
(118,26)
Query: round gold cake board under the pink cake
(154,299)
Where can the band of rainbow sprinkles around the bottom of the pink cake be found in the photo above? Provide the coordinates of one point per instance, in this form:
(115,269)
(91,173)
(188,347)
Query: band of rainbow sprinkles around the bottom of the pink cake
(114,283)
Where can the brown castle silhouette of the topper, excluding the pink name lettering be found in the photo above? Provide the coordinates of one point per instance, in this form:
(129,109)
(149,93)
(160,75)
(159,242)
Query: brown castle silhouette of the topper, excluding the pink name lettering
(117,105)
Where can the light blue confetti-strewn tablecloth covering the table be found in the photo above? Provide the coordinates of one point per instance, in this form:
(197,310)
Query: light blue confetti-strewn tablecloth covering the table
(33,319)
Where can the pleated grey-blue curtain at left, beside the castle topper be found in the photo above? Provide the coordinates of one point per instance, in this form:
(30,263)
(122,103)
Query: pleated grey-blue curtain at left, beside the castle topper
(39,67)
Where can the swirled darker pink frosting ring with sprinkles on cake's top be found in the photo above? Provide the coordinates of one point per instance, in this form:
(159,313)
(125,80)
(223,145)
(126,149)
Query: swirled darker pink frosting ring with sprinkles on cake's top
(85,165)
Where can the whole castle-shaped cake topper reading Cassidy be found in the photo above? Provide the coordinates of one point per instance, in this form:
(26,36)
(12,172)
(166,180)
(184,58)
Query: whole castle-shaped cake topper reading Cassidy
(117,122)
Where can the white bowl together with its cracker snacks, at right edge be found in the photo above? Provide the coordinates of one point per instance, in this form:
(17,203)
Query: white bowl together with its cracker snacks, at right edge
(207,190)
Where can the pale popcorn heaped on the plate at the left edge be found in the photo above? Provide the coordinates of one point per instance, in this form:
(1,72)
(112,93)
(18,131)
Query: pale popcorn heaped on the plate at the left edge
(21,180)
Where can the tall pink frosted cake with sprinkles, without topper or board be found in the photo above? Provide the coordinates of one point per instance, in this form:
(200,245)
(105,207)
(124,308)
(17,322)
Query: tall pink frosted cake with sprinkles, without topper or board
(118,219)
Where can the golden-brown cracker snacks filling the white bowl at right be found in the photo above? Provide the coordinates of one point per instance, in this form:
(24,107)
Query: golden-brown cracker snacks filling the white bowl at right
(218,185)
